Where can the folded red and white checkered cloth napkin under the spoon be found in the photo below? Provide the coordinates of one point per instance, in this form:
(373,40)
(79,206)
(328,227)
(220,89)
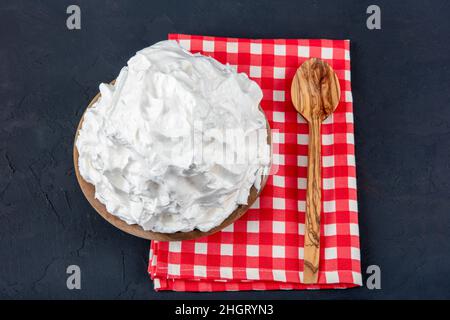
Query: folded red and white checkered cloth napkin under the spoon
(264,249)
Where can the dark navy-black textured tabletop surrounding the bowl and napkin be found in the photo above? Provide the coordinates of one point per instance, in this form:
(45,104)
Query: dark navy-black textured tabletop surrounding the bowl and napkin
(48,75)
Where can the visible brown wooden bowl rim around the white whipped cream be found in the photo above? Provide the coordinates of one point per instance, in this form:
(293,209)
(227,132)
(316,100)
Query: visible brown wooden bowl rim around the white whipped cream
(136,230)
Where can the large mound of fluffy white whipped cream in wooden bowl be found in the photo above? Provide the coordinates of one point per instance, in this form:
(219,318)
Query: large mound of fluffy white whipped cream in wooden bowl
(176,143)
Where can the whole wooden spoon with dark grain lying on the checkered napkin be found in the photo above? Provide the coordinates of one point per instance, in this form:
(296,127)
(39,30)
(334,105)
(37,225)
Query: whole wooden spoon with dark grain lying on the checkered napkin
(315,94)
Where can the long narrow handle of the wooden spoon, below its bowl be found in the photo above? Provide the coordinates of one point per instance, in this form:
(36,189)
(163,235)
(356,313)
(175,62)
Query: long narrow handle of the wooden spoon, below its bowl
(313,204)
